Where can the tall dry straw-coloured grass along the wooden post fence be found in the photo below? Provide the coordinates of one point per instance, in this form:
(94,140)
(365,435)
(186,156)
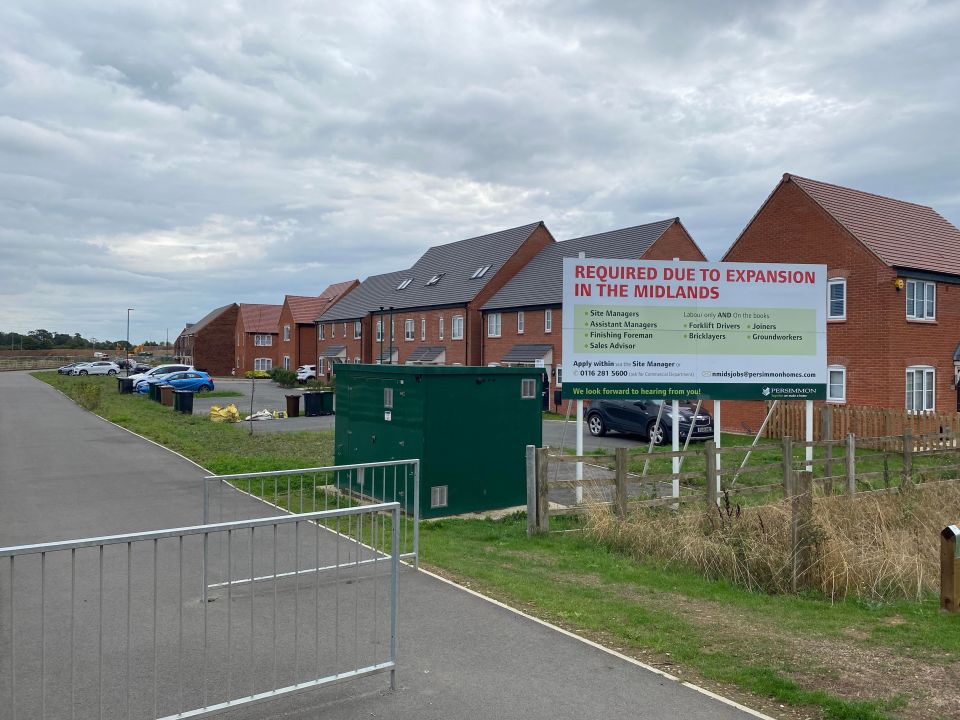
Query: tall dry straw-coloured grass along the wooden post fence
(881,546)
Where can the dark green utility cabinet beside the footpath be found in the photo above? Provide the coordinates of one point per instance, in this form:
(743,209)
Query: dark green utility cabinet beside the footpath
(469,426)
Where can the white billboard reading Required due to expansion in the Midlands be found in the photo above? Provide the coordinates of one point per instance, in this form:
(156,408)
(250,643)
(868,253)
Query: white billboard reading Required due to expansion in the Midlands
(679,329)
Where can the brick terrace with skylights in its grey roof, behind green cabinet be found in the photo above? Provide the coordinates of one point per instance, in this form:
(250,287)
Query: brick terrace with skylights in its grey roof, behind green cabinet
(433,307)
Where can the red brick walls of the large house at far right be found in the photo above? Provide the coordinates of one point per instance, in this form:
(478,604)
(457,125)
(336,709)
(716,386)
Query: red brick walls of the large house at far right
(875,343)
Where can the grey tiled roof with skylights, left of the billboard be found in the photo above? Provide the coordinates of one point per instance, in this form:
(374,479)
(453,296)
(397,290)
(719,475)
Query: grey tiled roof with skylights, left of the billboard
(456,262)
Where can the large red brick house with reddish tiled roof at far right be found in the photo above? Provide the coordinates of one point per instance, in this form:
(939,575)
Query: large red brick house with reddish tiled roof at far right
(893,305)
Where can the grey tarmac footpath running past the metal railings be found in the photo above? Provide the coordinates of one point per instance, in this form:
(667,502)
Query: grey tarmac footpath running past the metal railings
(64,473)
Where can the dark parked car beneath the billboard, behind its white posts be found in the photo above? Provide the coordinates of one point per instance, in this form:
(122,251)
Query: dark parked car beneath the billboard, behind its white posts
(640,417)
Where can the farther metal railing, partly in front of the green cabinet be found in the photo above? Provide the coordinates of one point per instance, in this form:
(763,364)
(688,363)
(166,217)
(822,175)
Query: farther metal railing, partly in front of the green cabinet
(324,488)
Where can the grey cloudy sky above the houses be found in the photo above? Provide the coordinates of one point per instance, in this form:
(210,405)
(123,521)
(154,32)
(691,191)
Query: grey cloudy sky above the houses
(176,156)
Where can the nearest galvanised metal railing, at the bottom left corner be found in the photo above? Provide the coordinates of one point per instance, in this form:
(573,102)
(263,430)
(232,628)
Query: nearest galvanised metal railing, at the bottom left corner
(118,627)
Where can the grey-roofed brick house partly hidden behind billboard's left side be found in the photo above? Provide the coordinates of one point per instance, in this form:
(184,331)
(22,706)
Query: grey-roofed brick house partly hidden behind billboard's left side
(522,323)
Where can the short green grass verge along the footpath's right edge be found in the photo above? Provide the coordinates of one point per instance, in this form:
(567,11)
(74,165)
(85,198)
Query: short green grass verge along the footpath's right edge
(789,656)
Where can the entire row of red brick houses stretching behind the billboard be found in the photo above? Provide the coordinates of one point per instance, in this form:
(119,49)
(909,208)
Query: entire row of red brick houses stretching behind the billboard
(893,300)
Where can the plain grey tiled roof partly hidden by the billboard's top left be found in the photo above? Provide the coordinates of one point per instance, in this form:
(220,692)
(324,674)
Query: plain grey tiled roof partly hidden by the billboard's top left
(541,281)
